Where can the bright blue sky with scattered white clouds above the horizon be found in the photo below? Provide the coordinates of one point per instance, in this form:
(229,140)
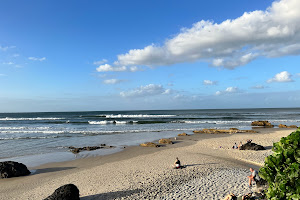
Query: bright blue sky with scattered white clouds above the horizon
(97,55)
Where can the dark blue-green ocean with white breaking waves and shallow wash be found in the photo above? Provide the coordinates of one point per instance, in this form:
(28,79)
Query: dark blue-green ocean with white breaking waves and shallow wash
(42,137)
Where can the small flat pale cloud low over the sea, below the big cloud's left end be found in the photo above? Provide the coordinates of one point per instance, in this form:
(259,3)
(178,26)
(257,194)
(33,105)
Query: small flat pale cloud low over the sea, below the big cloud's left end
(148,90)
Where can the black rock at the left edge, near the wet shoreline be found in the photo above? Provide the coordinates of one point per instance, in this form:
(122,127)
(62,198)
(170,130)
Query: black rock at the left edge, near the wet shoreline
(10,169)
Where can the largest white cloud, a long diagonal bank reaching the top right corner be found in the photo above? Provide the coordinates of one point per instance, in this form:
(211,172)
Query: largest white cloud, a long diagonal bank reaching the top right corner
(232,43)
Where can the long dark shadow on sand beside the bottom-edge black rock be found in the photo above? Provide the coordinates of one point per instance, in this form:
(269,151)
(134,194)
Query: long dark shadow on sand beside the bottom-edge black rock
(111,195)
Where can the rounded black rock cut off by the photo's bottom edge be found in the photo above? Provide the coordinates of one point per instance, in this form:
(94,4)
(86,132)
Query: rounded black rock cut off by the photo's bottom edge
(65,192)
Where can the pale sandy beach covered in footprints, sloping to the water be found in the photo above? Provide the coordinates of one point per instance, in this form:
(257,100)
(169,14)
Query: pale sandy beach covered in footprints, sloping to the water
(213,169)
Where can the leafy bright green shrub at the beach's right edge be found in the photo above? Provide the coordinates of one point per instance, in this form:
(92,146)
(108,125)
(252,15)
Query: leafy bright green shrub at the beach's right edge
(282,169)
